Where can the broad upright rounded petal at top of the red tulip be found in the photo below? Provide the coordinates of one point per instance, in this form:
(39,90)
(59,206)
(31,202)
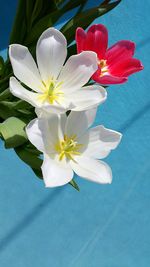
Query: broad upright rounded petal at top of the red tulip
(97,39)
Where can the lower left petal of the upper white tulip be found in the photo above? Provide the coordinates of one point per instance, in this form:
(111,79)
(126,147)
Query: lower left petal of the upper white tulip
(19,91)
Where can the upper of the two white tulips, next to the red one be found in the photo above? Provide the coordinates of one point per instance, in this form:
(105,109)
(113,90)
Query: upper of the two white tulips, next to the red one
(55,88)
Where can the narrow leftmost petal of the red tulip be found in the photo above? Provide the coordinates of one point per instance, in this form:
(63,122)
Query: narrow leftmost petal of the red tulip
(80,39)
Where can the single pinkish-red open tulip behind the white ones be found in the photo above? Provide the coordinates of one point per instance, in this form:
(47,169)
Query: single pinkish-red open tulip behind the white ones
(116,63)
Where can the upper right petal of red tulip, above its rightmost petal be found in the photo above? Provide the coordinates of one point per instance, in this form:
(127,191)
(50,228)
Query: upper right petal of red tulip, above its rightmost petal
(120,51)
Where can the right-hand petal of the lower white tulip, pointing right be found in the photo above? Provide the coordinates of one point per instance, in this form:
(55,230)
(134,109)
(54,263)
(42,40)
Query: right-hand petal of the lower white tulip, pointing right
(101,142)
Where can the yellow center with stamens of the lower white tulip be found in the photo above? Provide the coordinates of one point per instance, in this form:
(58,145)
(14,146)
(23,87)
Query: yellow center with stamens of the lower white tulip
(68,147)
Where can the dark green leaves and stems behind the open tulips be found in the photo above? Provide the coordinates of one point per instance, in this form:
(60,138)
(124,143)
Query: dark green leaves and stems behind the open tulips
(32,18)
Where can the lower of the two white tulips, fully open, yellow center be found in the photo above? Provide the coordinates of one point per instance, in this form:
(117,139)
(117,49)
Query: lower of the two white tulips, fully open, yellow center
(70,146)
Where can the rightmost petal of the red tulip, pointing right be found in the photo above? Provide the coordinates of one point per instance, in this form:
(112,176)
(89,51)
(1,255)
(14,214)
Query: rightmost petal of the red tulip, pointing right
(126,67)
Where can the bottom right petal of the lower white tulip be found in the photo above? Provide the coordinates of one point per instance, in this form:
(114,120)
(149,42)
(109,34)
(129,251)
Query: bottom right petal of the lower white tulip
(91,169)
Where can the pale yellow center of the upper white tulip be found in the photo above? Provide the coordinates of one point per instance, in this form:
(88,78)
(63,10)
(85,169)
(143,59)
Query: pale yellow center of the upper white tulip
(52,92)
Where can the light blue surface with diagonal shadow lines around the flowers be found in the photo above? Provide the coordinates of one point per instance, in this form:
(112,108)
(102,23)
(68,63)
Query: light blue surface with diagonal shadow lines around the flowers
(102,226)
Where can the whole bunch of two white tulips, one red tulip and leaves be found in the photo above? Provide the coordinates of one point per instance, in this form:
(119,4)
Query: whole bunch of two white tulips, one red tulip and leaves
(51,85)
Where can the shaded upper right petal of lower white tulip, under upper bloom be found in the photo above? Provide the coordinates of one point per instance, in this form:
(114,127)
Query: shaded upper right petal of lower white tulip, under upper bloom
(79,122)
